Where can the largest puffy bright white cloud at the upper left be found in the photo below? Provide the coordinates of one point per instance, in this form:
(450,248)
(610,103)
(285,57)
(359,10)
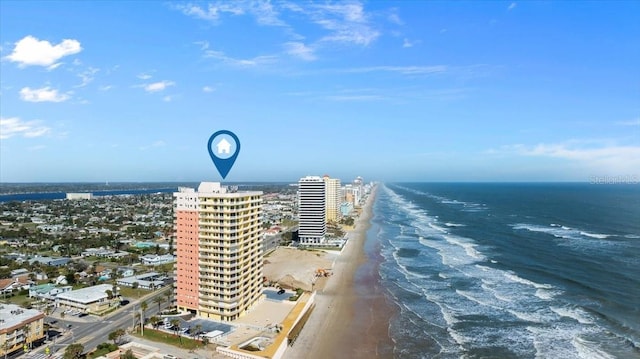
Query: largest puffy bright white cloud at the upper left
(31,51)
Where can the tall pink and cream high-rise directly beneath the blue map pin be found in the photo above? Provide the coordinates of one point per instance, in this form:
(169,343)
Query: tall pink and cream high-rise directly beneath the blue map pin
(219,250)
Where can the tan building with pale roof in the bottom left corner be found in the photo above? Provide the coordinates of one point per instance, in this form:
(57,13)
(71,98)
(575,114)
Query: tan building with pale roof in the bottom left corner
(19,327)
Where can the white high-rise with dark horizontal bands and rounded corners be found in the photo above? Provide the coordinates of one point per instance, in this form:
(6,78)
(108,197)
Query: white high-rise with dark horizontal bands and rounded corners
(312,226)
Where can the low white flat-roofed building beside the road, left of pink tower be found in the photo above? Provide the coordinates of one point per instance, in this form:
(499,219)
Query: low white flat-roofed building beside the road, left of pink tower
(95,299)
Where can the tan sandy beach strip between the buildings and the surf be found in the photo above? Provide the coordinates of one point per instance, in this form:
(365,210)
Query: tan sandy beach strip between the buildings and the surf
(351,317)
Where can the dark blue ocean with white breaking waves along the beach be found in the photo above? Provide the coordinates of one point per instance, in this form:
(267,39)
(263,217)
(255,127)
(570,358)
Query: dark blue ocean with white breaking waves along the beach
(511,270)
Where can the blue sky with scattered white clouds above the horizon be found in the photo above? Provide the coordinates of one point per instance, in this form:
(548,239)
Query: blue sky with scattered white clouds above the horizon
(388,90)
